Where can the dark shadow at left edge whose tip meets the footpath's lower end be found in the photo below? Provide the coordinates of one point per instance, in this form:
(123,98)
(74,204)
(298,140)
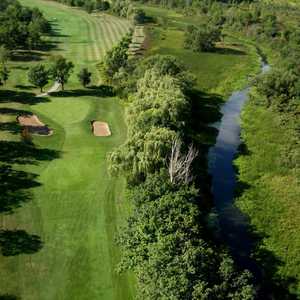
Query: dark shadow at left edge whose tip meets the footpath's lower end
(7,96)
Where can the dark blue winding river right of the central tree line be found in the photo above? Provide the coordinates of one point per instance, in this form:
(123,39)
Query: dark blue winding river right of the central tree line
(233,224)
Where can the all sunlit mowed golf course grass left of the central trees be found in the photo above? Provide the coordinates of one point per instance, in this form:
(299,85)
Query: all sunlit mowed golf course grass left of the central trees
(75,207)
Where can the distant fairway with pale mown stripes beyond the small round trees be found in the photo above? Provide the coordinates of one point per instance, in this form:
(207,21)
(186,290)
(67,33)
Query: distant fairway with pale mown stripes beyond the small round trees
(81,37)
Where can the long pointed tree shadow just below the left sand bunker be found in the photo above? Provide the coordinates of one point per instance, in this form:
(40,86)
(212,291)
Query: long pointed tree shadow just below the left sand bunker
(12,152)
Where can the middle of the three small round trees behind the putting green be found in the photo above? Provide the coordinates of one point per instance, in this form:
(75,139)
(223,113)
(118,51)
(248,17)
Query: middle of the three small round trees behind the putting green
(61,70)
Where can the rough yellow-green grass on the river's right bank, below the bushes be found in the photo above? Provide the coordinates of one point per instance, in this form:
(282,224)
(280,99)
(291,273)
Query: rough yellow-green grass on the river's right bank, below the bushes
(269,193)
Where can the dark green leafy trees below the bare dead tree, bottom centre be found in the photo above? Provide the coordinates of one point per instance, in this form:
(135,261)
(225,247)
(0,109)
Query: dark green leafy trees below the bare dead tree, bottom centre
(163,243)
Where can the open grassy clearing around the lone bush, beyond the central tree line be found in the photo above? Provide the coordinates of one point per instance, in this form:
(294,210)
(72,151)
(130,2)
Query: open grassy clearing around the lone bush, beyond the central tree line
(221,72)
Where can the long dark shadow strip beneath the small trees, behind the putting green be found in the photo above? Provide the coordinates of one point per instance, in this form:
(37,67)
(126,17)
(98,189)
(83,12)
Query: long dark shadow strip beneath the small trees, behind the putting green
(100,91)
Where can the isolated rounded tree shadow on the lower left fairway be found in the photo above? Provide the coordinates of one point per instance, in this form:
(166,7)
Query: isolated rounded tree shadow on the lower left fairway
(16,242)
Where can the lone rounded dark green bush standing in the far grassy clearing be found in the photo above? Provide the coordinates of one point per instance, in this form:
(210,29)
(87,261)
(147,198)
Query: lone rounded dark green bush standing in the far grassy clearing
(203,38)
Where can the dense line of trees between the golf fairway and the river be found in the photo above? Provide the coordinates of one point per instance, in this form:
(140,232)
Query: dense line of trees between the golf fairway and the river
(165,241)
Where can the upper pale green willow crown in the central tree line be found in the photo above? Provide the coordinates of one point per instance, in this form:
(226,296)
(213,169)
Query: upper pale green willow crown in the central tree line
(159,101)
